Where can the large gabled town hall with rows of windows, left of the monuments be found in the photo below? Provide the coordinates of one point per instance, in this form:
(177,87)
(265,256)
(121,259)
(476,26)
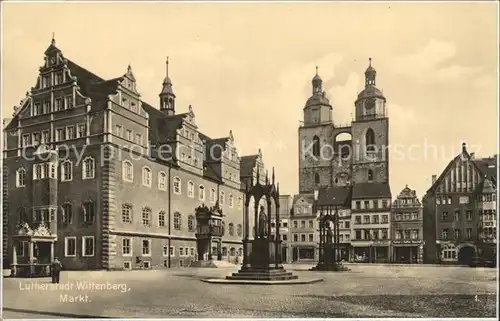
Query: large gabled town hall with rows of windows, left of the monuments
(111,179)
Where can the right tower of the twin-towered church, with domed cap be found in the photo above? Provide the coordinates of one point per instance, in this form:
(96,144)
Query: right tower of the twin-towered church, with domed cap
(370,133)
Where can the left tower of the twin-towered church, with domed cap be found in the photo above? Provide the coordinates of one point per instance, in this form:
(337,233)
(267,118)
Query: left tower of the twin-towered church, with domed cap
(315,136)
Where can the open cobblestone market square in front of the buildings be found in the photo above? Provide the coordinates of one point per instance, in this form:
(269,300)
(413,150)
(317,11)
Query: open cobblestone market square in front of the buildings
(365,291)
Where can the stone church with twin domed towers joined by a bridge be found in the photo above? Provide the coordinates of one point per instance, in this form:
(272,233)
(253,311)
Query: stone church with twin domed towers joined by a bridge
(327,158)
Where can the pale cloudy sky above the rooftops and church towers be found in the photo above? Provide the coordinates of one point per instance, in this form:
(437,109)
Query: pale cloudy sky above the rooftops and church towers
(248,68)
